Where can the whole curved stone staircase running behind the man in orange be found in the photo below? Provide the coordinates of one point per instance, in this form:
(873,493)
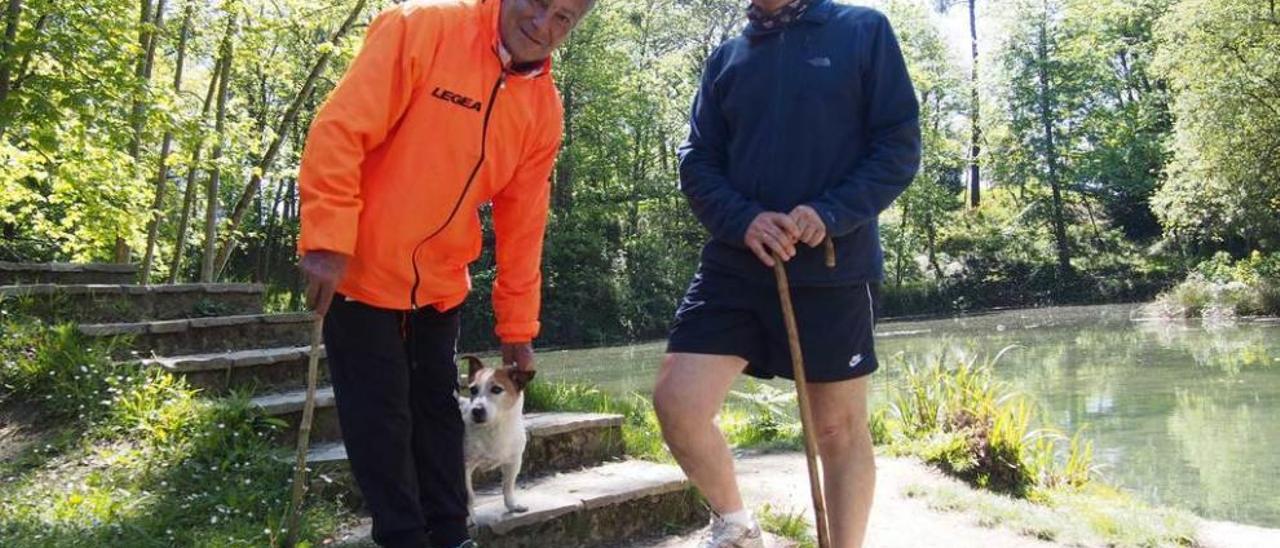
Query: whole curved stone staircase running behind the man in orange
(577,482)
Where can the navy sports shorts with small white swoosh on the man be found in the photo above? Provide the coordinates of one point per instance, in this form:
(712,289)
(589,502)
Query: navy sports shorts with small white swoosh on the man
(726,316)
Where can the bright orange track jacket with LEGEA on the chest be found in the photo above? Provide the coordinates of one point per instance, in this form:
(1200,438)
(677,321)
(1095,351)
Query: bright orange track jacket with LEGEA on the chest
(428,121)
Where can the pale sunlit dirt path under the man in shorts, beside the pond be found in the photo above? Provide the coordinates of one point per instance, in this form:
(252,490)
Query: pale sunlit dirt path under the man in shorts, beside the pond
(899,522)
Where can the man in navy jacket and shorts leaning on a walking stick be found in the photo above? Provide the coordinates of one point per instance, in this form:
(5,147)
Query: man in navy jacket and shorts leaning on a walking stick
(804,127)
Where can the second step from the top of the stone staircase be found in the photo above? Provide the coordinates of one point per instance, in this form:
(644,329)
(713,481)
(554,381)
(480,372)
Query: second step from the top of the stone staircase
(102,303)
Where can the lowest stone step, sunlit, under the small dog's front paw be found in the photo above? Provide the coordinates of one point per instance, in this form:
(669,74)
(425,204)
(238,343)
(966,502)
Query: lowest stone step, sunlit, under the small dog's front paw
(607,506)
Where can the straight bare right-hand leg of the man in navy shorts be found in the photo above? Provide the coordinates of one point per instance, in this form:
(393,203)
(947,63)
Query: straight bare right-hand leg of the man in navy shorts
(848,458)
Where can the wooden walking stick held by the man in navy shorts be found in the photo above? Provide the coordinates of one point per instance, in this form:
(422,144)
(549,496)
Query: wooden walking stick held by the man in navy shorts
(811,444)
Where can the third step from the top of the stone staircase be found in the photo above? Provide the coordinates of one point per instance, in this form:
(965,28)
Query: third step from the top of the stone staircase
(207,335)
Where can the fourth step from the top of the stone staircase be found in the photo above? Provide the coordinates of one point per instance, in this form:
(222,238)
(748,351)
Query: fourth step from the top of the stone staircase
(252,369)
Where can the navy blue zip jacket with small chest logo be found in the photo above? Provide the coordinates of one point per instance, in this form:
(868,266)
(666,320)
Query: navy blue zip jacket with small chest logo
(820,113)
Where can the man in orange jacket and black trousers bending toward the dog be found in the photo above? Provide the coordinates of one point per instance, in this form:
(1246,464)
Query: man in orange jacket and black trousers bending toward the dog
(449,106)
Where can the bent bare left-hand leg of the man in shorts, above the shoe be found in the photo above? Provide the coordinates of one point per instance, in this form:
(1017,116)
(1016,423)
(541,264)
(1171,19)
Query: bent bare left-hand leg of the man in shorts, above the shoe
(691,391)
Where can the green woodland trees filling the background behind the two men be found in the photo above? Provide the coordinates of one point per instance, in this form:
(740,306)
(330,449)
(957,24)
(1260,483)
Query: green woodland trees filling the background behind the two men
(1122,140)
